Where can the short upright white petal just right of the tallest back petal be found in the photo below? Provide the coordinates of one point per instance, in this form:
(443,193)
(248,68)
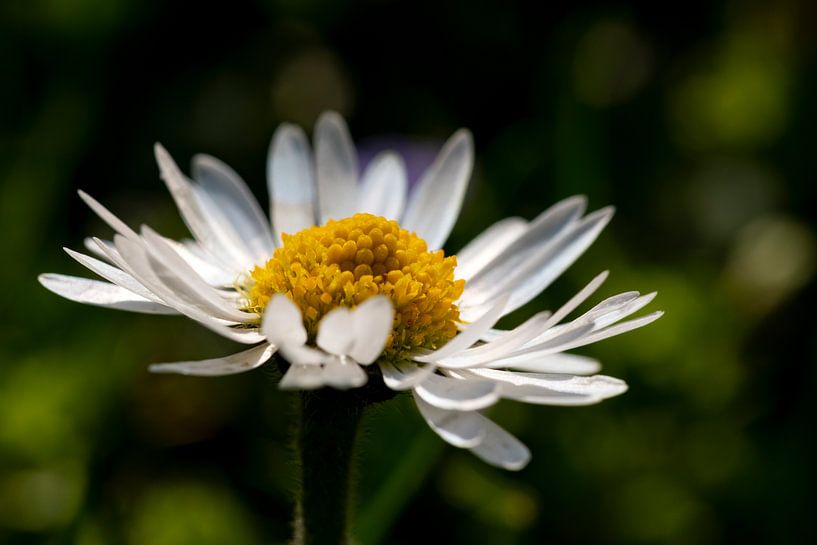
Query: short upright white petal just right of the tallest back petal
(383,187)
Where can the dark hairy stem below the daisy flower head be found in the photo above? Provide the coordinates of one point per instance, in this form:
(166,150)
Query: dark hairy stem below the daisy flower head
(329,422)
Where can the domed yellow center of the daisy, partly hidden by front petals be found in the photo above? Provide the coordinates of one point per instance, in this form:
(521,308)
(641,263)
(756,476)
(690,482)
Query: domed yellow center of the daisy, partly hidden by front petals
(347,261)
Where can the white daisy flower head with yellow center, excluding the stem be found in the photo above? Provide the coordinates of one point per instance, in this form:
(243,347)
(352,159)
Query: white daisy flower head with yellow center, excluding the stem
(348,283)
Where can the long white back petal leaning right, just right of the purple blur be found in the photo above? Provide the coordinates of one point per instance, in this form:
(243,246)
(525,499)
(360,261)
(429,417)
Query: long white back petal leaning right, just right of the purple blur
(436,200)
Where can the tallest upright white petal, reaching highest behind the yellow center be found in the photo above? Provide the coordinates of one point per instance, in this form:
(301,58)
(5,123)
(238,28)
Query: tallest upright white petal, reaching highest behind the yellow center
(336,165)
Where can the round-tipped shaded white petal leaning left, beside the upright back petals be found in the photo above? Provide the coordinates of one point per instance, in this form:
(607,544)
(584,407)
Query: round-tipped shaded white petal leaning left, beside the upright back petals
(234,199)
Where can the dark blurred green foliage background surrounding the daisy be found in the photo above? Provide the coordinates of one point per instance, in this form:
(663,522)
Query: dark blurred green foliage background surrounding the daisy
(698,124)
